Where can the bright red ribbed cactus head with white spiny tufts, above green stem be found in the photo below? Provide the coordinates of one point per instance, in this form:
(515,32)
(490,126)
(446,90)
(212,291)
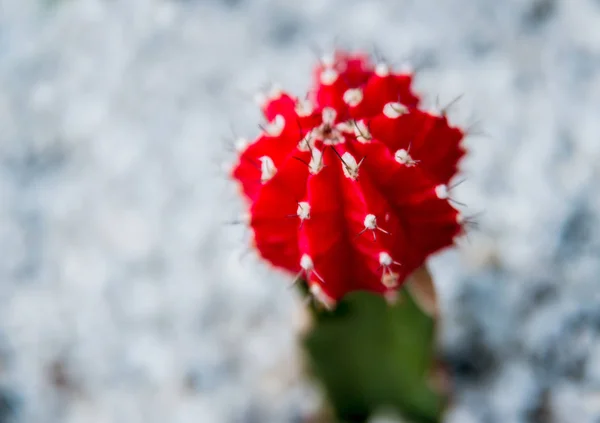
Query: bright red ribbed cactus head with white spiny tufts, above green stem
(348,188)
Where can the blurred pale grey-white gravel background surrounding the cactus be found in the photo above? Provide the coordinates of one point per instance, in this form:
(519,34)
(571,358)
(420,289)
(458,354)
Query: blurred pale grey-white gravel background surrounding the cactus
(125,296)
